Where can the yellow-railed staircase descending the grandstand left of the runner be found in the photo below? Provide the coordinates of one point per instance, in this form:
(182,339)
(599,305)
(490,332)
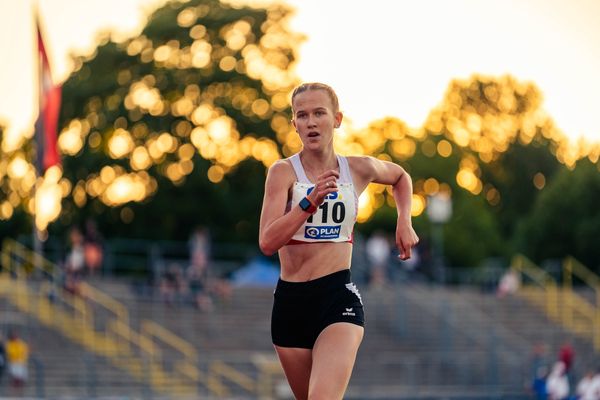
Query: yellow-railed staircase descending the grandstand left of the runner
(139,353)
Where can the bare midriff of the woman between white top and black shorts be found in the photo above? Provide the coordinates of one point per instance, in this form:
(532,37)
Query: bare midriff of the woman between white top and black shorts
(305,262)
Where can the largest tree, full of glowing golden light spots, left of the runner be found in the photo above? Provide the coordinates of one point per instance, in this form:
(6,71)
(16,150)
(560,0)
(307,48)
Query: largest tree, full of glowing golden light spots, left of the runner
(174,128)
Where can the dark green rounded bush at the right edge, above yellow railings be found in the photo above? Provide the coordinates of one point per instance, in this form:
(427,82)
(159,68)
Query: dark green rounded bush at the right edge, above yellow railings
(565,219)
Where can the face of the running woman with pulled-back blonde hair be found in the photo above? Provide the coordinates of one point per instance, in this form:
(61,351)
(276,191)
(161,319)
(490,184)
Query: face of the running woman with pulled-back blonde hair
(314,118)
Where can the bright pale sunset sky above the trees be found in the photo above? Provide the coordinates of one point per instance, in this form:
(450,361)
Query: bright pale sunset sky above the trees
(384,57)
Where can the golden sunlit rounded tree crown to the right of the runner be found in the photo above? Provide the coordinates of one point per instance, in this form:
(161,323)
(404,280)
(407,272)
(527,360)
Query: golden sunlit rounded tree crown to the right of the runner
(507,142)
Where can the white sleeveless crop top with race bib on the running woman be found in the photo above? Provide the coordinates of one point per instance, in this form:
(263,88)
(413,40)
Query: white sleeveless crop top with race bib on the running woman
(334,219)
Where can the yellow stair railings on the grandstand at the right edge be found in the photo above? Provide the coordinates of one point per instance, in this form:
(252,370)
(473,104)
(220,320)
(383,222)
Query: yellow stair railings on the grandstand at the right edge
(561,304)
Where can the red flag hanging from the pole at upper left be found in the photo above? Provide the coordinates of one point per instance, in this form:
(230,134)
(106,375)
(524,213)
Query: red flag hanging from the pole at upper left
(46,125)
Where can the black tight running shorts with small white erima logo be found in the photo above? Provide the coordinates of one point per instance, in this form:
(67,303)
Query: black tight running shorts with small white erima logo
(301,310)
